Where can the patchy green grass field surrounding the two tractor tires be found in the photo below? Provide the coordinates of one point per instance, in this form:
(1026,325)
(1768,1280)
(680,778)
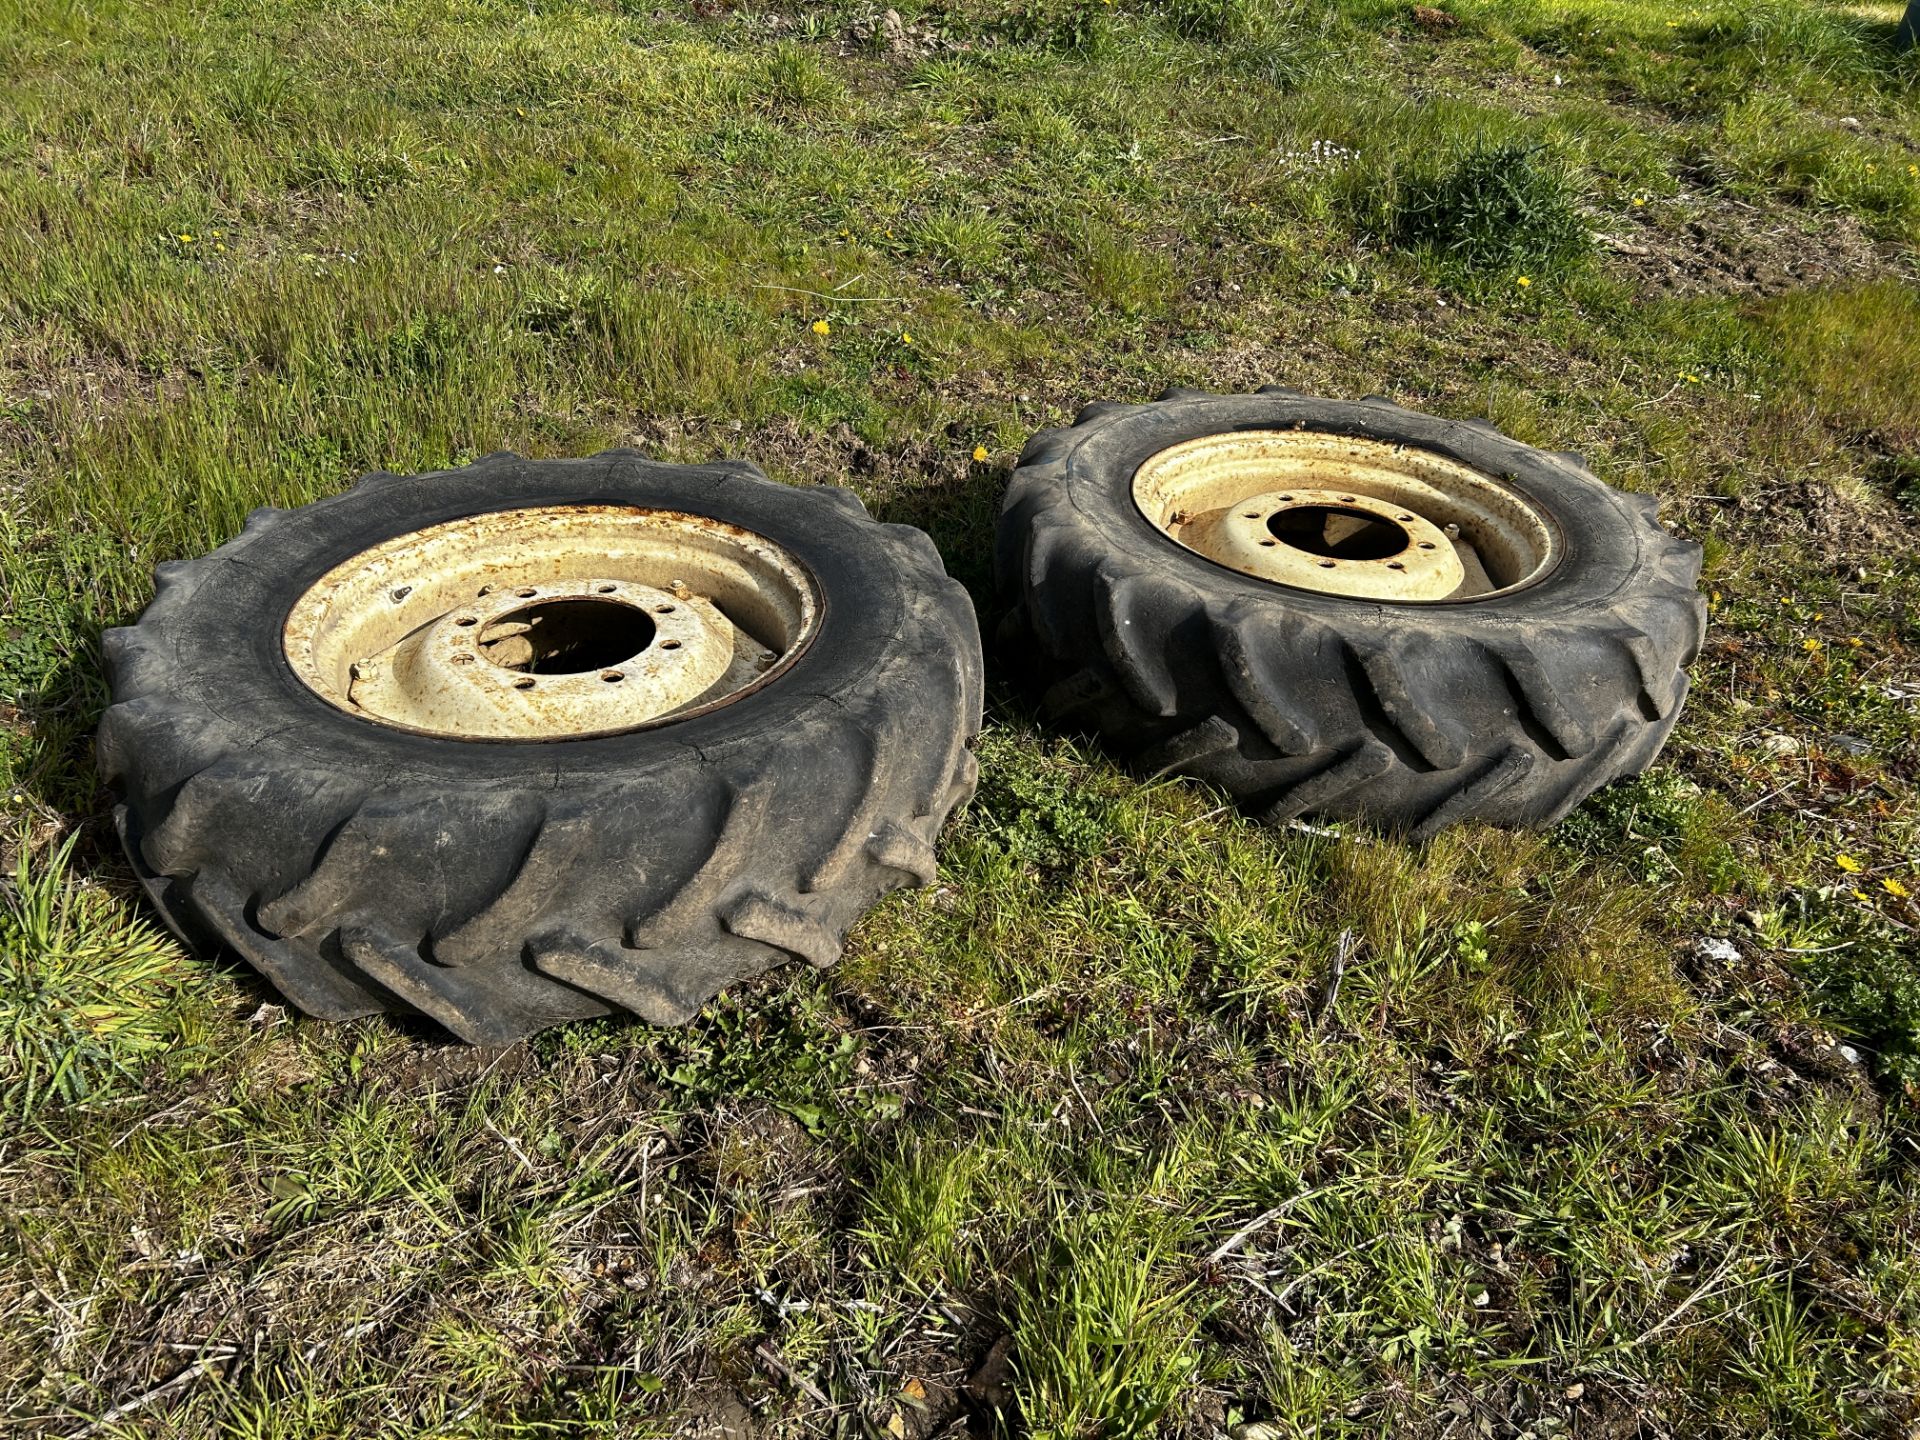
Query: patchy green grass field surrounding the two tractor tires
(1612,1132)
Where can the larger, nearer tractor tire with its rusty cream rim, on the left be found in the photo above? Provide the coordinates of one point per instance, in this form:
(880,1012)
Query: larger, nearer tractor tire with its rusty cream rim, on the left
(502,865)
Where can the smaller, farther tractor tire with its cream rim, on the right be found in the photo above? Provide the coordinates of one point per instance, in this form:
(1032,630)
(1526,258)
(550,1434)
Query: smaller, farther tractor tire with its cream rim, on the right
(1193,633)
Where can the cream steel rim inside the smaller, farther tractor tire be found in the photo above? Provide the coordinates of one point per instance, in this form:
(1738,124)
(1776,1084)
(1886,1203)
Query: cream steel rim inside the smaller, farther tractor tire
(1347,516)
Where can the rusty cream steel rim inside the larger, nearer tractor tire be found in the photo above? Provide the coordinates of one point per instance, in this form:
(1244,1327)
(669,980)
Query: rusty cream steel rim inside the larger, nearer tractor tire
(552,623)
